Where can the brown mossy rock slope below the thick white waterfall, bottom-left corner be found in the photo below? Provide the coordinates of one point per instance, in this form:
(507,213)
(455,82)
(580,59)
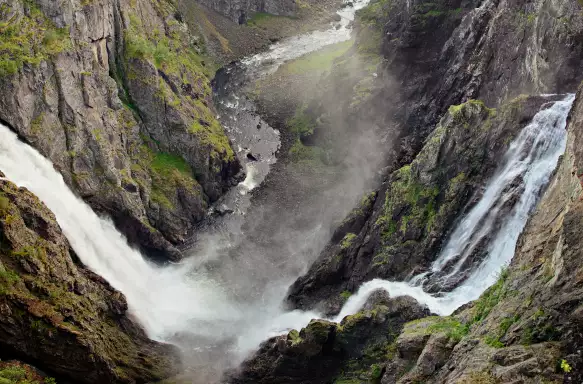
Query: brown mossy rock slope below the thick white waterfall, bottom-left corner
(58,315)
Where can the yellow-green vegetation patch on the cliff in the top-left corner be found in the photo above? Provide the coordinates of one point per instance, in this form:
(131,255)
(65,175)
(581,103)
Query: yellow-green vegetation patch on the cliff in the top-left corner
(29,39)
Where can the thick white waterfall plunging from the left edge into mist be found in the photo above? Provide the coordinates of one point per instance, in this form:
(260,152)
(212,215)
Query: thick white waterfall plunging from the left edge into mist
(165,300)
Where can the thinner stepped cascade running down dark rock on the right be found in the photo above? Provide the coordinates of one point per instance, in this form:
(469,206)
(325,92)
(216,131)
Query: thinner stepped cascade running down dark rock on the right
(530,160)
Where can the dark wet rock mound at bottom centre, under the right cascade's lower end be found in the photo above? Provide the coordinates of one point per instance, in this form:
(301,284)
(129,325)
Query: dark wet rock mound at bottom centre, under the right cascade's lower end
(321,351)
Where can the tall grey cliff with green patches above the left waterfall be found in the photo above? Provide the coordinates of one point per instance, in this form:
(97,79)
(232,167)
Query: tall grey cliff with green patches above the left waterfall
(117,95)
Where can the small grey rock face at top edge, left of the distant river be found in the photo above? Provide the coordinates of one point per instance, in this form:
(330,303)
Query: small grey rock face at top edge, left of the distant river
(240,11)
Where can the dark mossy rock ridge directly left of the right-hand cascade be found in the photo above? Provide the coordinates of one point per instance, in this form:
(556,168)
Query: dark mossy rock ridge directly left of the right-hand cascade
(408,222)
